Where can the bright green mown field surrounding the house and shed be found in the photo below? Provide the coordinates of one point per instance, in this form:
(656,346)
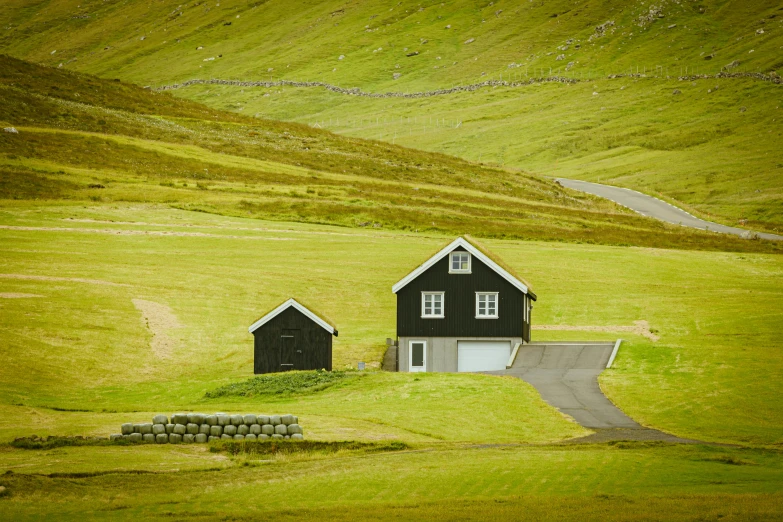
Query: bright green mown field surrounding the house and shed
(82,345)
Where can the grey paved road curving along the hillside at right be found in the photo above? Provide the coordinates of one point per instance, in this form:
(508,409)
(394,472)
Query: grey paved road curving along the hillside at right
(653,207)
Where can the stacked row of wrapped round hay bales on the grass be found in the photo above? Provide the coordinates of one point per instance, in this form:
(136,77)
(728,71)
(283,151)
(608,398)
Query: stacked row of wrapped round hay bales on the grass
(188,428)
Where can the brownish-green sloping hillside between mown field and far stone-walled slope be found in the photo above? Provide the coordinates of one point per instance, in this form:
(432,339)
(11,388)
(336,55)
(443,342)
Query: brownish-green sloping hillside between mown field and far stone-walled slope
(85,139)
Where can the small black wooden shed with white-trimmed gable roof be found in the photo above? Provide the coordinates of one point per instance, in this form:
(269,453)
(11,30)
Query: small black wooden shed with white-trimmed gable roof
(292,337)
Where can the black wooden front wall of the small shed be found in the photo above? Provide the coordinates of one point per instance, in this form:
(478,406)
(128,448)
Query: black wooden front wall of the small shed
(314,343)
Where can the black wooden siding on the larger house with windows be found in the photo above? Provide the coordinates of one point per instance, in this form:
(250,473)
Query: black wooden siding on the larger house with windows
(460,304)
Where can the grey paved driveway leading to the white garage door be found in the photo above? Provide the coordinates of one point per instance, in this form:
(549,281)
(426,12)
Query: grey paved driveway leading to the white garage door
(566,376)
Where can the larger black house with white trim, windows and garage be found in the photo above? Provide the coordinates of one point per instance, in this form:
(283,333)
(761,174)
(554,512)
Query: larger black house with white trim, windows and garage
(460,311)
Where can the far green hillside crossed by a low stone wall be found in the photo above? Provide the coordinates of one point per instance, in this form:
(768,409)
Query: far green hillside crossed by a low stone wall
(714,152)
